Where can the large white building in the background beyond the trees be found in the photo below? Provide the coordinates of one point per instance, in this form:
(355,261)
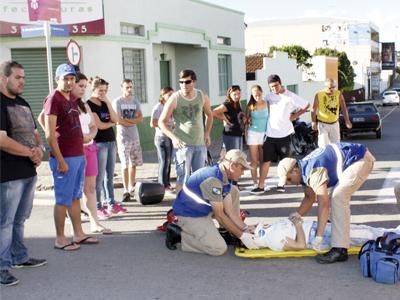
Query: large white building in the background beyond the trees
(360,41)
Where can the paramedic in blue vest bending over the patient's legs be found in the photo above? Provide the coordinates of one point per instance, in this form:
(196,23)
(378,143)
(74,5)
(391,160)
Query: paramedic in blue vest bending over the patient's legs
(341,166)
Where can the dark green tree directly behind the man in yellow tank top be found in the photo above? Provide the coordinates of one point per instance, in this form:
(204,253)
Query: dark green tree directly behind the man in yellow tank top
(346,71)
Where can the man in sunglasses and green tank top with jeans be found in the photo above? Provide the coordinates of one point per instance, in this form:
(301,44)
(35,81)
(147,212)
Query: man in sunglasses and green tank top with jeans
(191,135)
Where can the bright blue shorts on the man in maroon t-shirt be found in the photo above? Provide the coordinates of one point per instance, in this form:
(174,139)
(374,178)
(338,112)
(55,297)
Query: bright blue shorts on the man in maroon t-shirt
(68,186)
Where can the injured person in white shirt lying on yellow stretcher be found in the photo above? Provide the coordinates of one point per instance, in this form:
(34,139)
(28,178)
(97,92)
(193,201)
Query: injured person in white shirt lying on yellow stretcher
(295,234)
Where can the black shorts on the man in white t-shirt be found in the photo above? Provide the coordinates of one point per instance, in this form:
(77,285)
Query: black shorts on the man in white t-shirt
(275,149)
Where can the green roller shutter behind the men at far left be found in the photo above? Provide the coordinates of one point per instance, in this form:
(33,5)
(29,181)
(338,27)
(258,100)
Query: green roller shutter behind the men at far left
(34,61)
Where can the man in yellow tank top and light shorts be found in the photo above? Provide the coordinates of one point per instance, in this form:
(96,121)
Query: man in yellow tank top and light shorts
(325,113)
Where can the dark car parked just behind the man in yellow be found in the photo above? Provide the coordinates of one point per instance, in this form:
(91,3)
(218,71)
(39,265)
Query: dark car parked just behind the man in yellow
(365,118)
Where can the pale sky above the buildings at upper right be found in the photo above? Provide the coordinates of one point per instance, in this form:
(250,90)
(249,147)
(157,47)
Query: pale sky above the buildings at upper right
(385,13)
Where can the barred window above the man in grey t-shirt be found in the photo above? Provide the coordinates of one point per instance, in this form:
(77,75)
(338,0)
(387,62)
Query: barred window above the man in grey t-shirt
(134,68)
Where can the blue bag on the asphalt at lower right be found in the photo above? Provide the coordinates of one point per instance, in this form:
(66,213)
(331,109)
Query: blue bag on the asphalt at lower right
(380,258)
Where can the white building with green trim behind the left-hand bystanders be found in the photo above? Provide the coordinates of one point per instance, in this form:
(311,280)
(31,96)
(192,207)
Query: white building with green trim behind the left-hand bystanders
(148,41)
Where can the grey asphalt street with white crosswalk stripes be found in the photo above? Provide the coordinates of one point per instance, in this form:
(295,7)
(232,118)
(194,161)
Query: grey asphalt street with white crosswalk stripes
(133,263)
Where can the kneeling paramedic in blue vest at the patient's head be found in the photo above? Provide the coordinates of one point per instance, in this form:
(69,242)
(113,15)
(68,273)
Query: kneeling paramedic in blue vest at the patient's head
(208,193)
